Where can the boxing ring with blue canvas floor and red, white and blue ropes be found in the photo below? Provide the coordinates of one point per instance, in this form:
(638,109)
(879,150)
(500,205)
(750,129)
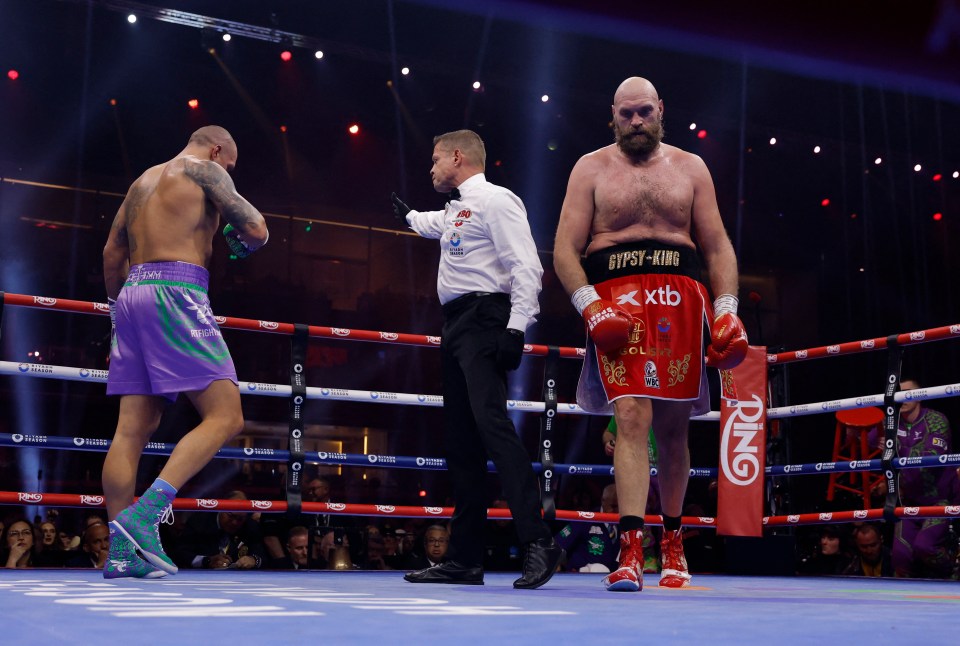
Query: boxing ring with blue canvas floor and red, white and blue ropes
(257,606)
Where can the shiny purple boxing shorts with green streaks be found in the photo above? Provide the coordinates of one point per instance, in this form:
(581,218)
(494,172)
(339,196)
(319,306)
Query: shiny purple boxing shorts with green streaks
(167,340)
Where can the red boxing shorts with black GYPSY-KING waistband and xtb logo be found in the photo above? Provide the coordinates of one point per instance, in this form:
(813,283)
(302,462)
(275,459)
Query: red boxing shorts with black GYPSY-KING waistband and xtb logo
(658,285)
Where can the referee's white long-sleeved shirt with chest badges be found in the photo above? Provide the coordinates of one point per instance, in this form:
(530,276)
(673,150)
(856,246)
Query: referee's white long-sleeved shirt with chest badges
(486,246)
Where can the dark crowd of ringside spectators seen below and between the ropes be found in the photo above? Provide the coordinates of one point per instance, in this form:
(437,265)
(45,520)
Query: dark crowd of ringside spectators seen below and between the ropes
(249,540)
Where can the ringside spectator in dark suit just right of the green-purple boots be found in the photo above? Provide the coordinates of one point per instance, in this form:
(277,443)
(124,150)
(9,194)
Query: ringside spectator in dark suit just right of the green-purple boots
(228,539)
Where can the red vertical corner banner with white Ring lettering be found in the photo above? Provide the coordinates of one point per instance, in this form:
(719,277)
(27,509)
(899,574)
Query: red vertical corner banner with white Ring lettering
(743,443)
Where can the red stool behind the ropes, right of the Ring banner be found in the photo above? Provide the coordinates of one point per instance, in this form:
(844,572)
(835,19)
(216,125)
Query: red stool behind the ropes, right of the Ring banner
(850,442)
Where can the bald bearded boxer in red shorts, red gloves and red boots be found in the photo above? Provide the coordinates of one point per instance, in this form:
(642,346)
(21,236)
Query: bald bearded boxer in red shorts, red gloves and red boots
(635,207)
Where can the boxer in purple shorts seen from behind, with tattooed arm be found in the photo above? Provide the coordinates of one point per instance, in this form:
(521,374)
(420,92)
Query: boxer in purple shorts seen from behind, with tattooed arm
(165,339)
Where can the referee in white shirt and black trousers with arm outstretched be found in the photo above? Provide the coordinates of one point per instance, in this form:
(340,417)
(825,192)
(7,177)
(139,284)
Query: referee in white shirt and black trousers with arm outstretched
(488,284)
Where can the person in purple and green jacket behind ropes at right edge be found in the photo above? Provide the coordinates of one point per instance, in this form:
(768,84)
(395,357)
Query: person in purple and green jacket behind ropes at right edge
(922,546)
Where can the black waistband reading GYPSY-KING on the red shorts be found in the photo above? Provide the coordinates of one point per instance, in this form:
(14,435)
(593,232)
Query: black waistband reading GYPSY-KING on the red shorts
(641,257)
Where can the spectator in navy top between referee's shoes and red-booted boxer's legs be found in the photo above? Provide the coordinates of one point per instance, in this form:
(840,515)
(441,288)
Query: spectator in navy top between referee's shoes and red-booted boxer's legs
(593,547)
